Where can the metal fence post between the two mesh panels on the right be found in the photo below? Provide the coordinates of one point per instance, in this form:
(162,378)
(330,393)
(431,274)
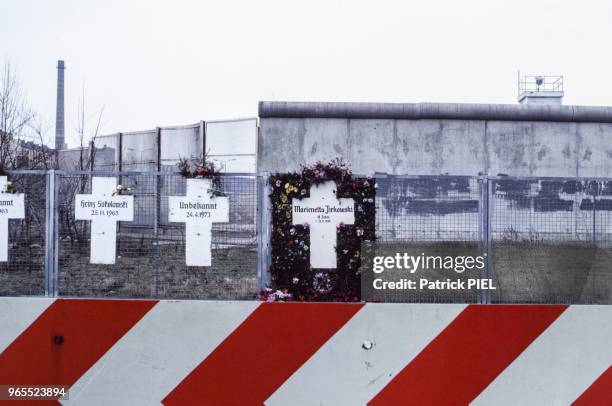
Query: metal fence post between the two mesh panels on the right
(484,233)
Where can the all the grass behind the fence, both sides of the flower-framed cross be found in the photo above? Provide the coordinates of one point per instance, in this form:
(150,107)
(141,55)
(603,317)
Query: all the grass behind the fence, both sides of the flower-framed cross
(523,272)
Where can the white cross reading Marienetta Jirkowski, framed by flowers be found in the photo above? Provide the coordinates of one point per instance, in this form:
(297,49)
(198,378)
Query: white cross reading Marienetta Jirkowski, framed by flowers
(323,211)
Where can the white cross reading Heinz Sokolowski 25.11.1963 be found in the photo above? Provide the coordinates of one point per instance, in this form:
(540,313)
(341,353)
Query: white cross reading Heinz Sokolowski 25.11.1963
(104,210)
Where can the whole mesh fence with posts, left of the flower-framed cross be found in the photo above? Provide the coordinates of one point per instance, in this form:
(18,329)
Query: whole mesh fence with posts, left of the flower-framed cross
(150,250)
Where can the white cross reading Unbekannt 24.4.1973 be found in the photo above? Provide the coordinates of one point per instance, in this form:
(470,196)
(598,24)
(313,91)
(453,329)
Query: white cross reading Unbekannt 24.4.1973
(198,210)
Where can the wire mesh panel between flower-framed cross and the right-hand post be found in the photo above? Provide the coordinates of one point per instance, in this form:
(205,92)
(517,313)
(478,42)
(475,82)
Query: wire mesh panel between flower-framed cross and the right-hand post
(431,217)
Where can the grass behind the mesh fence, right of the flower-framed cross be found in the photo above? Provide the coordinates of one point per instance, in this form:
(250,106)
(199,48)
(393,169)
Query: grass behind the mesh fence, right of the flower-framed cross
(522,272)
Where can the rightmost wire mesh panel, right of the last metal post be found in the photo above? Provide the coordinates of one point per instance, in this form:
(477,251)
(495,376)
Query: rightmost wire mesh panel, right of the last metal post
(545,246)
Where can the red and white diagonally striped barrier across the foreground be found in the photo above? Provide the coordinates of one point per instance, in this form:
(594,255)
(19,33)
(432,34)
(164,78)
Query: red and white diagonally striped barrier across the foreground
(144,352)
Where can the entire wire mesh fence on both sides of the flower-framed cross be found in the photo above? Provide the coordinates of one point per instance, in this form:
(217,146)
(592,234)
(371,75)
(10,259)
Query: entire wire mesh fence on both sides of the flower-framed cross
(545,240)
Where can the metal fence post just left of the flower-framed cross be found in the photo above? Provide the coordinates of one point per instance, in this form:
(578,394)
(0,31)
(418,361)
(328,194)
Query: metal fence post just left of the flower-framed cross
(264,225)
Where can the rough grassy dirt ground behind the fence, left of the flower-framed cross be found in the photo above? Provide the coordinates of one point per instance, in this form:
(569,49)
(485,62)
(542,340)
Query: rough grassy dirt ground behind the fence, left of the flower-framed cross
(141,271)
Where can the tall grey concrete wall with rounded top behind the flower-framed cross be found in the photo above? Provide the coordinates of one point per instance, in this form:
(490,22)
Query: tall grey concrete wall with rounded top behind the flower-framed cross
(457,139)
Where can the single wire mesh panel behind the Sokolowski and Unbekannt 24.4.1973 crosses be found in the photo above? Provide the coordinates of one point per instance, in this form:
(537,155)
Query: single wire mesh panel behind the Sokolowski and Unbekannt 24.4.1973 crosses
(150,251)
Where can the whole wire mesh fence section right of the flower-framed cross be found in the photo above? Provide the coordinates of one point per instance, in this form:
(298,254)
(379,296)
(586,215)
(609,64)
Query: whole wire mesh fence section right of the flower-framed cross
(545,240)
